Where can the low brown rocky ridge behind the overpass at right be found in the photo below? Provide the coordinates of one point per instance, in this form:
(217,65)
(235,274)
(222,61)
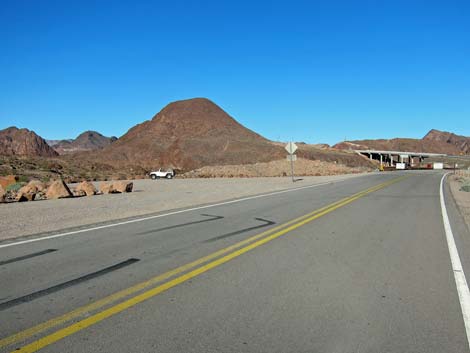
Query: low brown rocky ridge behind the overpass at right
(434,142)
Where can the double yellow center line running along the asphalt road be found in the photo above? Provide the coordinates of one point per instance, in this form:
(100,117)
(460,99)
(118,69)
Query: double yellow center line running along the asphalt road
(184,273)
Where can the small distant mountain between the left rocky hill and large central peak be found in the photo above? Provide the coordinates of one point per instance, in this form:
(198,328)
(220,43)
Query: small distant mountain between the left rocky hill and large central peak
(87,141)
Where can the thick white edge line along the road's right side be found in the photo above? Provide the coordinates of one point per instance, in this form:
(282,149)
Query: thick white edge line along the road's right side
(459,275)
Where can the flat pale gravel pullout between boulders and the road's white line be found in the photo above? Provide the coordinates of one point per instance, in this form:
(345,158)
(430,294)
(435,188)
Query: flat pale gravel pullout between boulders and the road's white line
(148,197)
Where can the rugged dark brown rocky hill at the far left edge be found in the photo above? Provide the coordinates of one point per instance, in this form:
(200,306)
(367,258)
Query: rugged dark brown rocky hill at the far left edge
(23,142)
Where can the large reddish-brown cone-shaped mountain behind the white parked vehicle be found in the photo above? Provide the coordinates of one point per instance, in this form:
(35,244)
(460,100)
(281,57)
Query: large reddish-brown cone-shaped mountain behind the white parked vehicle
(185,135)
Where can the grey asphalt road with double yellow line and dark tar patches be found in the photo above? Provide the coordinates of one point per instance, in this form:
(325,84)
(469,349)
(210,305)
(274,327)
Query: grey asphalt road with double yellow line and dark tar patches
(360,265)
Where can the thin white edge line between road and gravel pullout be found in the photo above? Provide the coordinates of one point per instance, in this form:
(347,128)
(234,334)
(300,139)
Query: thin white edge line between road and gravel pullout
(166,214)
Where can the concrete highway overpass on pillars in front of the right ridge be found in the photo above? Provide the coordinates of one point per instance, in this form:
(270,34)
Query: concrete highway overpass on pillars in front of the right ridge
(390,158)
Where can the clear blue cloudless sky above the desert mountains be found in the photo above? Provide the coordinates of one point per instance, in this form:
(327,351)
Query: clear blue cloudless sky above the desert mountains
(314,71)
